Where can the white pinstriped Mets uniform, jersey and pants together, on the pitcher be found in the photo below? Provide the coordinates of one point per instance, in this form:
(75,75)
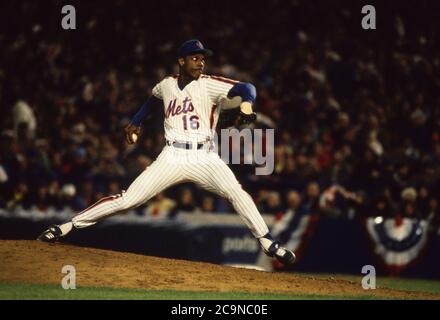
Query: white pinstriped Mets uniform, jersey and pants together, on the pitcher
(191,116)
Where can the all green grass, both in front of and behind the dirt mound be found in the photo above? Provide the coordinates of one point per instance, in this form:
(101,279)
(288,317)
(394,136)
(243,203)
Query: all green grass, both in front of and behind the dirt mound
(56,292)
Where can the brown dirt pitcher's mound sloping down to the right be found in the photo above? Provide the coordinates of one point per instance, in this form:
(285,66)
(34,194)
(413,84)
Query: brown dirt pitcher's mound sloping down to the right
(41,263)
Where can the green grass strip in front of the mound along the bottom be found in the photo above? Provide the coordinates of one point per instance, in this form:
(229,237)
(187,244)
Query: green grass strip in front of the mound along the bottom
(53,292)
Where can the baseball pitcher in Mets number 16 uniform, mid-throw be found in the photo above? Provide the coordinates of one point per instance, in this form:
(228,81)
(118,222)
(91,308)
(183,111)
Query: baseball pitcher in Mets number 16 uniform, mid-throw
(192,102)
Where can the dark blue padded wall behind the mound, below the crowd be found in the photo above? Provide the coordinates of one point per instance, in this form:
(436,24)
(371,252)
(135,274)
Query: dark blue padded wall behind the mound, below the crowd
(326,246)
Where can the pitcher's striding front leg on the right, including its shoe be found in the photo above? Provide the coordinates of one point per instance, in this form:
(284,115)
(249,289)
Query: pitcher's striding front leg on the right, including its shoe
(211,173)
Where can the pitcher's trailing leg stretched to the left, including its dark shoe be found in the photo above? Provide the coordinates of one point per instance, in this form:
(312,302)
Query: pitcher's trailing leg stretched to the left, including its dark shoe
(161,174)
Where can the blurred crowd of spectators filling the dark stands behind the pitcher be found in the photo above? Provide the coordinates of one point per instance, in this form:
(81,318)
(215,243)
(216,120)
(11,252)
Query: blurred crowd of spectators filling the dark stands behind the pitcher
(356,113)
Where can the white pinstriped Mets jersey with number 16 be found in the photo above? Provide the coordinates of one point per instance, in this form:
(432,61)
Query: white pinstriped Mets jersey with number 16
(192,114)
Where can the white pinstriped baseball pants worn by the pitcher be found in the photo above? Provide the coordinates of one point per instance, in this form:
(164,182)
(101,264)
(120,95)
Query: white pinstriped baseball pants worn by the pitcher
(175,165)
